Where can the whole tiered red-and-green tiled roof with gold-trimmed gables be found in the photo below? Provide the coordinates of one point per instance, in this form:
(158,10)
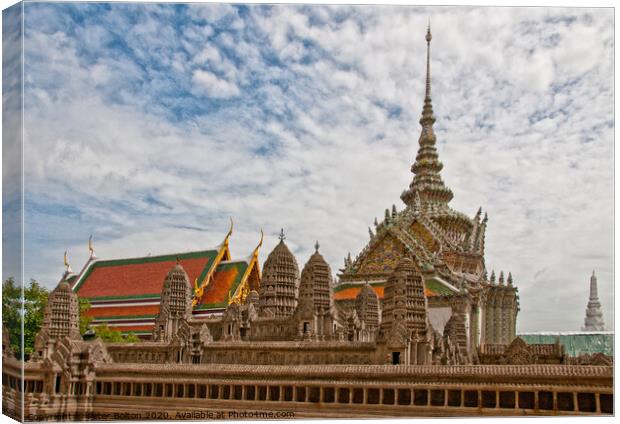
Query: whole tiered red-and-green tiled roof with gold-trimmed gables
(126,293)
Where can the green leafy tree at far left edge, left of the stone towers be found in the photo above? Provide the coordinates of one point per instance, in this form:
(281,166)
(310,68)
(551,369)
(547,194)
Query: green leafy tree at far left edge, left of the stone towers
(32,308)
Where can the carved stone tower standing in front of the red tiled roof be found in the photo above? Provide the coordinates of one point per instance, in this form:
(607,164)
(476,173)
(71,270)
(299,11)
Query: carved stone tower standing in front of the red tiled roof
(176,305)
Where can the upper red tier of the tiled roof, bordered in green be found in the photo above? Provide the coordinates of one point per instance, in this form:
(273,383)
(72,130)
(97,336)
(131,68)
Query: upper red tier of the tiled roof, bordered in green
(139,277)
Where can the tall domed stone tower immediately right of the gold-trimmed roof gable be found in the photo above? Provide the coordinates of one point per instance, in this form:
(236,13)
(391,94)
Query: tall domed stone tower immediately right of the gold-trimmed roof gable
(280,282)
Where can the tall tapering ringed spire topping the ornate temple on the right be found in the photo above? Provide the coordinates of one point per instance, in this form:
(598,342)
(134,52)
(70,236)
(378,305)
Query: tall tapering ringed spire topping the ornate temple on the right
(427,185)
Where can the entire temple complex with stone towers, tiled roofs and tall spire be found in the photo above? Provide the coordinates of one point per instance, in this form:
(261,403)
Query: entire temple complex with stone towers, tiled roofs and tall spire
(421,326)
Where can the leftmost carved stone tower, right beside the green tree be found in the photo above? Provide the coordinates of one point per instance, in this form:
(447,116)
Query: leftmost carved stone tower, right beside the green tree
(60,320)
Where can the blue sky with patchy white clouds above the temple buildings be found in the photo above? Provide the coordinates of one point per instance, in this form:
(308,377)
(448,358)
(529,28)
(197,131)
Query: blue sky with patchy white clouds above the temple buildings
(149,125)
